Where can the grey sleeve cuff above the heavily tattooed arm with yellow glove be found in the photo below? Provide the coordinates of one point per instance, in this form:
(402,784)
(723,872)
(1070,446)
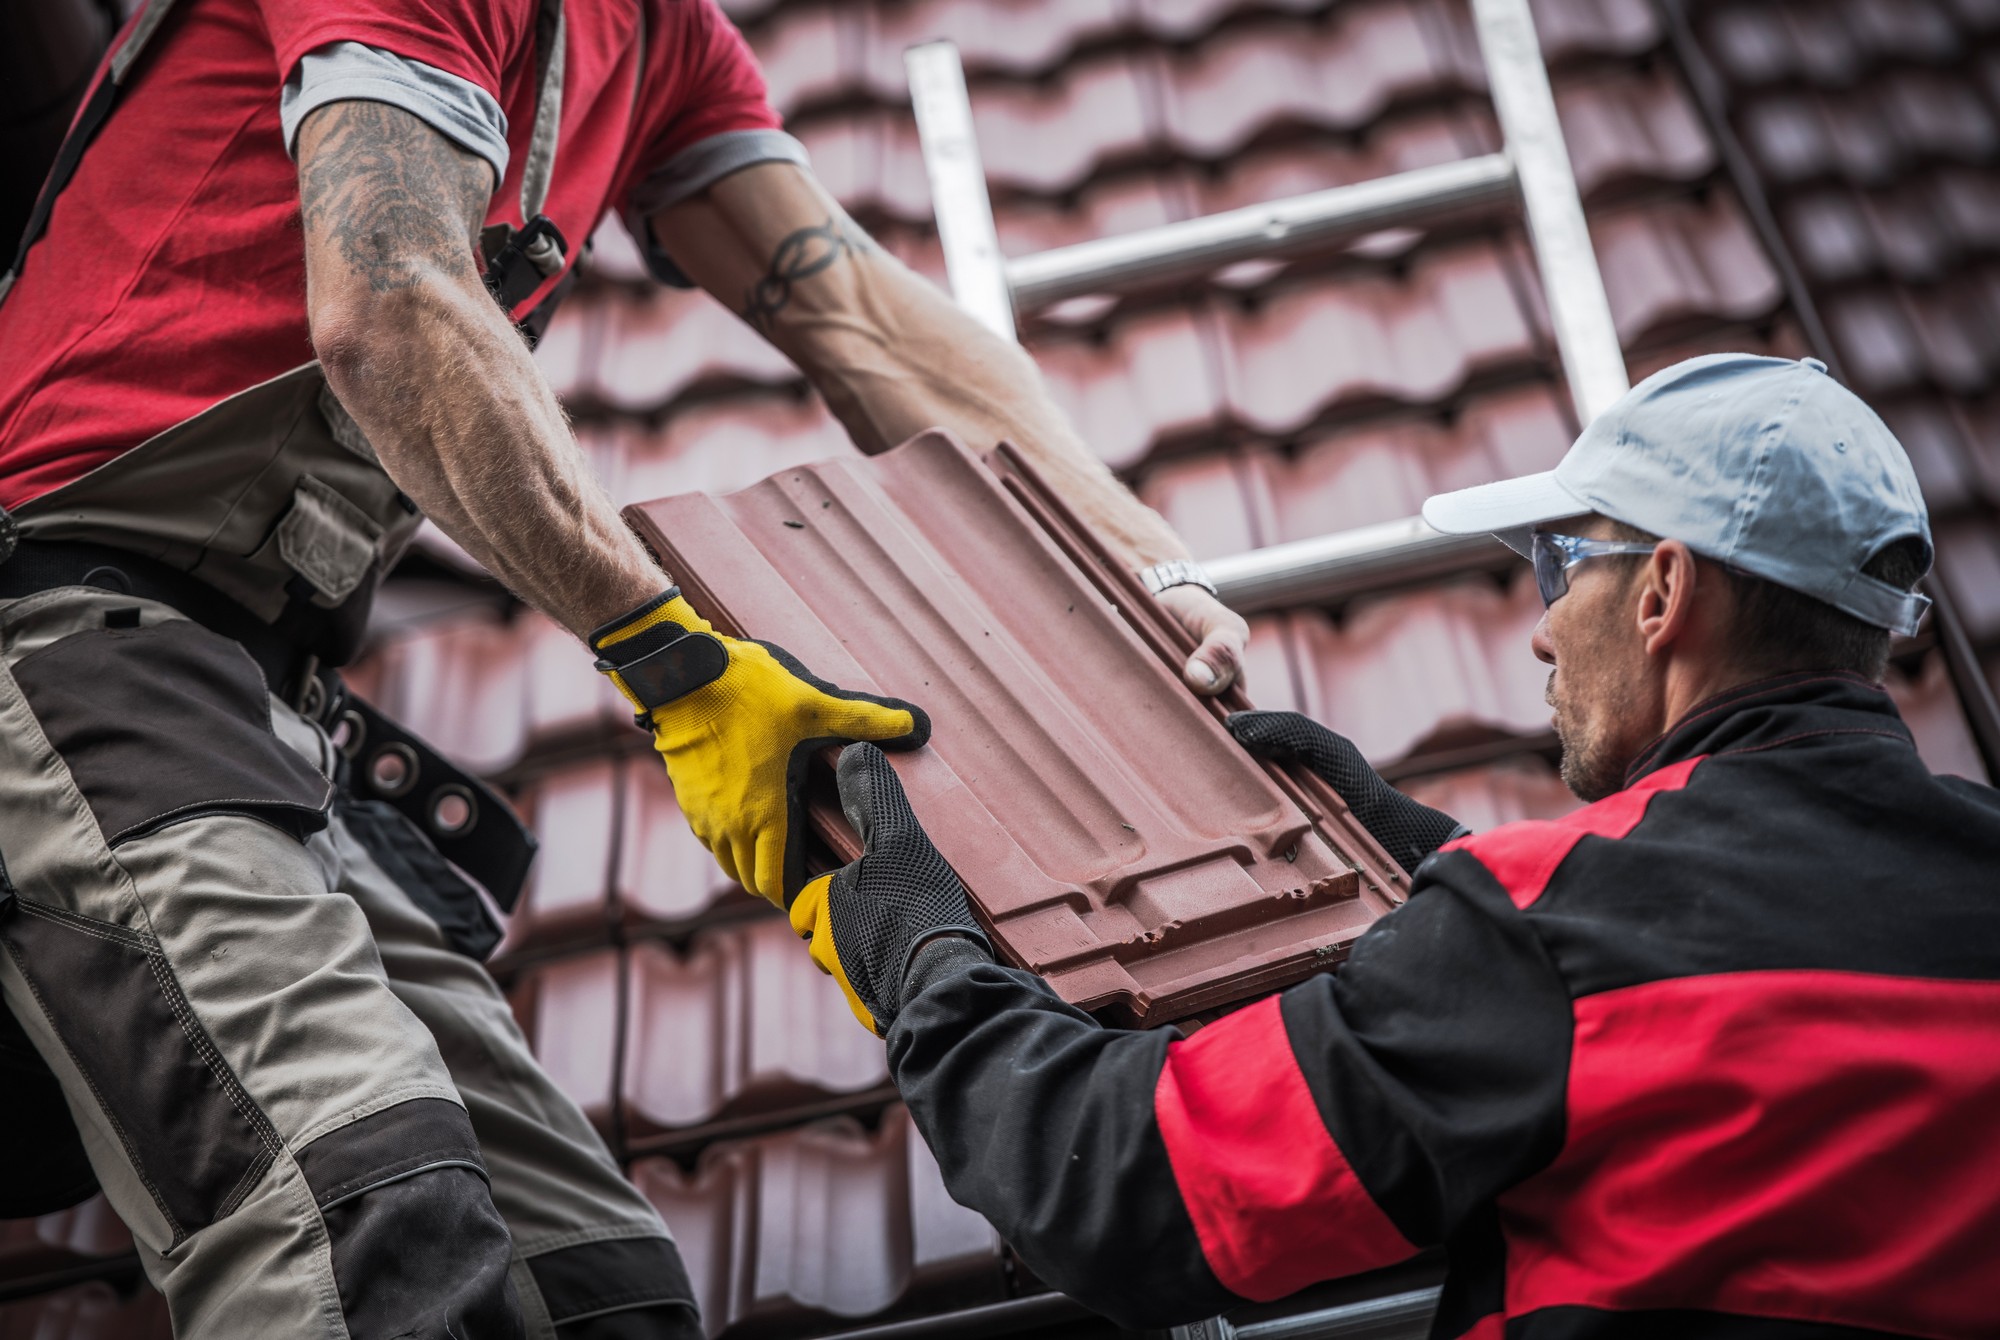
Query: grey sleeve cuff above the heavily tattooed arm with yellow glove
(455,107)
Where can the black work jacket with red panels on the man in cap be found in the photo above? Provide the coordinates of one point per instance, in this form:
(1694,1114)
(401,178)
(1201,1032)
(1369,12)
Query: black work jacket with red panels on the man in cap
(1719,1055)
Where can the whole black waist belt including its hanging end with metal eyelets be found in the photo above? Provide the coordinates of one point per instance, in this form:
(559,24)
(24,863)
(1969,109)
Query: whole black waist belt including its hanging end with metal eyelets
(465,819)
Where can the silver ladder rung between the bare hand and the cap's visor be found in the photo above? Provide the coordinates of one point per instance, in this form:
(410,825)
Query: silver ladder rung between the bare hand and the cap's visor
(1349,563)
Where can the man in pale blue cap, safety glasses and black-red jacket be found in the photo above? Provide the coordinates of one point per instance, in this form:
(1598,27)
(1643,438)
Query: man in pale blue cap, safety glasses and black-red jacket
(1713,1057)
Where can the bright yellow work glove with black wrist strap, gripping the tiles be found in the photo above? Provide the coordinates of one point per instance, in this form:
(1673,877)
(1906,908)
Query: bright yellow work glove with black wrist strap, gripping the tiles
(737,725)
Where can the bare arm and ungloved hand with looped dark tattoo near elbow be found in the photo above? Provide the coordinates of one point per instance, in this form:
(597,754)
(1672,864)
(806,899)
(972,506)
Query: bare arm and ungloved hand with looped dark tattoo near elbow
(895,357)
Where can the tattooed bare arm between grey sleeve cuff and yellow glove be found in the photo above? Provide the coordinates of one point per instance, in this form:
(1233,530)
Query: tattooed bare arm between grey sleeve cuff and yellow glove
(437,377)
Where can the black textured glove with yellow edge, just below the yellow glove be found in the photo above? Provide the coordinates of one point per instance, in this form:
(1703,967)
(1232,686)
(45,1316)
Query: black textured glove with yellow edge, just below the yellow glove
(867,921)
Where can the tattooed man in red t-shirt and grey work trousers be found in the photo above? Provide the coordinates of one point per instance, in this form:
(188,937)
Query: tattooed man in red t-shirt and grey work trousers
(251,341)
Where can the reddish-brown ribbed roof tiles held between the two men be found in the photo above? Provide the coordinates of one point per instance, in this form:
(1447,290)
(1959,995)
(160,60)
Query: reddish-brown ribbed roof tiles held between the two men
(1111,833)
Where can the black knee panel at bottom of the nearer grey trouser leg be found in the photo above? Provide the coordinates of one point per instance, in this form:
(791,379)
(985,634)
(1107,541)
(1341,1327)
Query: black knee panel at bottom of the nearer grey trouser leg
(419,1249)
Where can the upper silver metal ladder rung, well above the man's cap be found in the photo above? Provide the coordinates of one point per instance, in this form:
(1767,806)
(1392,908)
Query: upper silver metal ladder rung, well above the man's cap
(1261,231)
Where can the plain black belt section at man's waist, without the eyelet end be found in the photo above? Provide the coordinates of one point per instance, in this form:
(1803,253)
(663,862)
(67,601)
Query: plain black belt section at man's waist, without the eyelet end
(41,565)
